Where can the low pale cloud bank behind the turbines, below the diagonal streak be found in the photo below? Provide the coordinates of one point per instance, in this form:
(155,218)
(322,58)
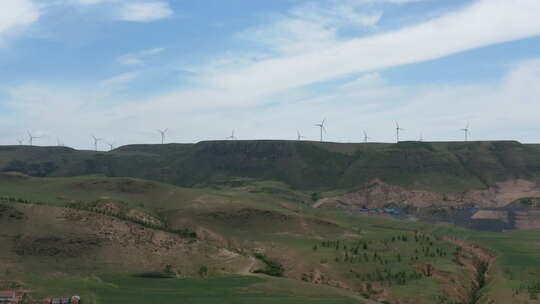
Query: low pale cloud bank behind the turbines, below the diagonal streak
(505,109)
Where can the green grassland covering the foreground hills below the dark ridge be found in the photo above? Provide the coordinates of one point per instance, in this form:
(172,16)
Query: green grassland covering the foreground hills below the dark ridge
(327,256)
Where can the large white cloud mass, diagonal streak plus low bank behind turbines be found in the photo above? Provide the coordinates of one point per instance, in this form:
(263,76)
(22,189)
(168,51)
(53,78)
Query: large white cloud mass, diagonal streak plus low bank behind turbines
(230,92)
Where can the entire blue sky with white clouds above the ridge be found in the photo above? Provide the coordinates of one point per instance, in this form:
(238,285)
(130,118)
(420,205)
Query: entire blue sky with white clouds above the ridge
(122,69)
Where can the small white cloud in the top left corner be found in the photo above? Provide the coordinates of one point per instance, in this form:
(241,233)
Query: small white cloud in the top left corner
(16,14)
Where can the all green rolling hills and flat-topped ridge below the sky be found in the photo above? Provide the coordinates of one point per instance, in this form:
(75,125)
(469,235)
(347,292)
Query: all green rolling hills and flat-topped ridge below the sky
(269,221)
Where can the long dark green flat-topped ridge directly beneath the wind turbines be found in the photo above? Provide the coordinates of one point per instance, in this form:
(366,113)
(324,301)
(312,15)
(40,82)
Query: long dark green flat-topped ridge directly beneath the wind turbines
(440,166)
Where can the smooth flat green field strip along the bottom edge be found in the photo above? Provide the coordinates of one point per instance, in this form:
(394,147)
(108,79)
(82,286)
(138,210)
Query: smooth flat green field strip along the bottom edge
(126,288)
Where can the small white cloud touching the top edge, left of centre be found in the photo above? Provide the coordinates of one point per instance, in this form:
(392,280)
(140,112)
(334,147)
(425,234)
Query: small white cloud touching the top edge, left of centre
(146,11)
